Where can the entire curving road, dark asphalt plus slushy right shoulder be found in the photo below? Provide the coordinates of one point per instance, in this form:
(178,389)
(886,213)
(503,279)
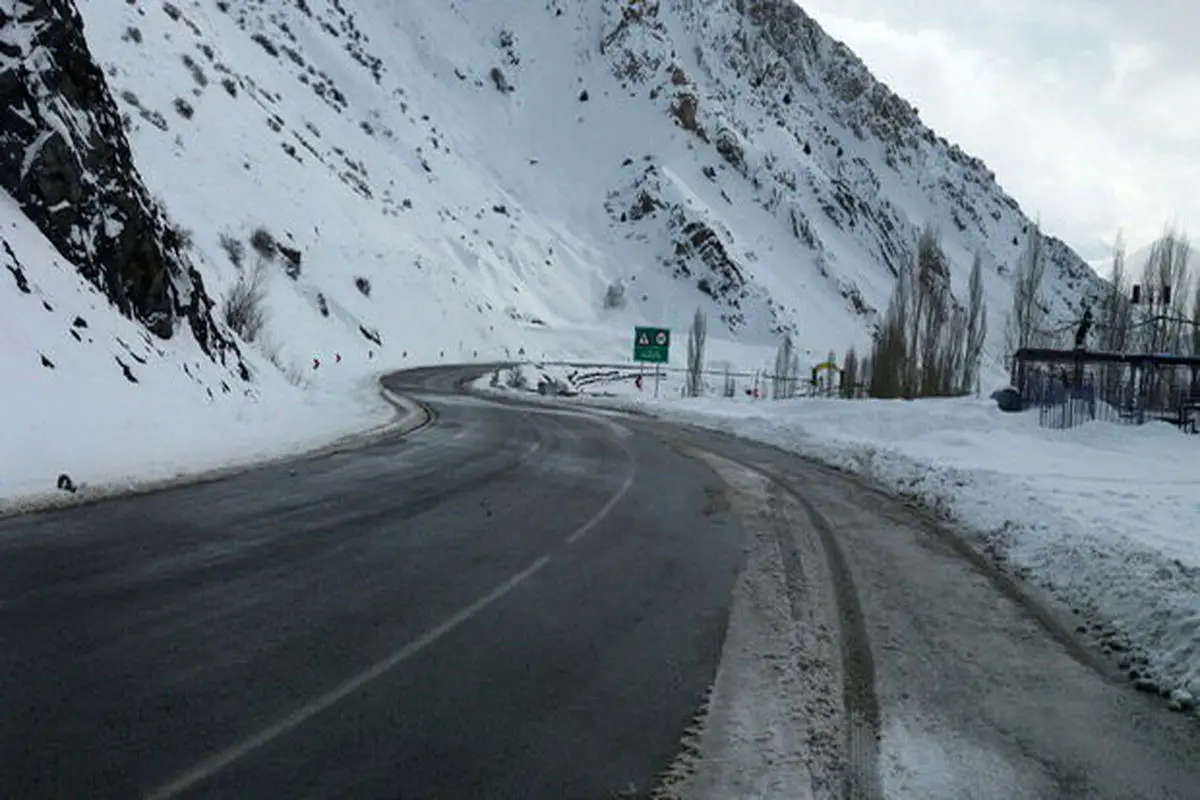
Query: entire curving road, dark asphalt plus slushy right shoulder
(525,603)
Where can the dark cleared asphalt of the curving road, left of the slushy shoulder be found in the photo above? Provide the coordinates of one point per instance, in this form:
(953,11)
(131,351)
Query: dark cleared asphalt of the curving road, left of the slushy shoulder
(506,604)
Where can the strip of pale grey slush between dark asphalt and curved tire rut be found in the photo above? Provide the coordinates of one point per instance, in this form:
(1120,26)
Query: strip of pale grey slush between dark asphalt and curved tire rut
(773,723)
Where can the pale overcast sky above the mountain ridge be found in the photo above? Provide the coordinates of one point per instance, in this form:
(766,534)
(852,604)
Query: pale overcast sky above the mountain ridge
(1089,111)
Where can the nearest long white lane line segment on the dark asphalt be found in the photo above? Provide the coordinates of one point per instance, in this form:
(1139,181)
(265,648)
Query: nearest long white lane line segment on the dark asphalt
(218,763)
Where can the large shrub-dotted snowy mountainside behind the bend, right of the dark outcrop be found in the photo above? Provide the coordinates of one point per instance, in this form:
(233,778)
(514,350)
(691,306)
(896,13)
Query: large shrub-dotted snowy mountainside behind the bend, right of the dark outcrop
(373,137)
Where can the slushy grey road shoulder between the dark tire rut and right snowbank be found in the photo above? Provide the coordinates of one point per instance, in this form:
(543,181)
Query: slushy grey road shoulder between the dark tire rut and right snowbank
(959,682)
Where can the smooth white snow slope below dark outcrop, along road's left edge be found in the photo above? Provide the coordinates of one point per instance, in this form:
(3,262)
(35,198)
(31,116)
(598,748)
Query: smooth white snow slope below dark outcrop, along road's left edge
(104,400)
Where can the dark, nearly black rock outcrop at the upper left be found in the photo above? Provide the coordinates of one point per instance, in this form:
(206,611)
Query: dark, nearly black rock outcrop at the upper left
(65,159)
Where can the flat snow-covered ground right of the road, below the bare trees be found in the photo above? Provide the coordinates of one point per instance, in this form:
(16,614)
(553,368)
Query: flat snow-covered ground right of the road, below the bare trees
(1105,516)
